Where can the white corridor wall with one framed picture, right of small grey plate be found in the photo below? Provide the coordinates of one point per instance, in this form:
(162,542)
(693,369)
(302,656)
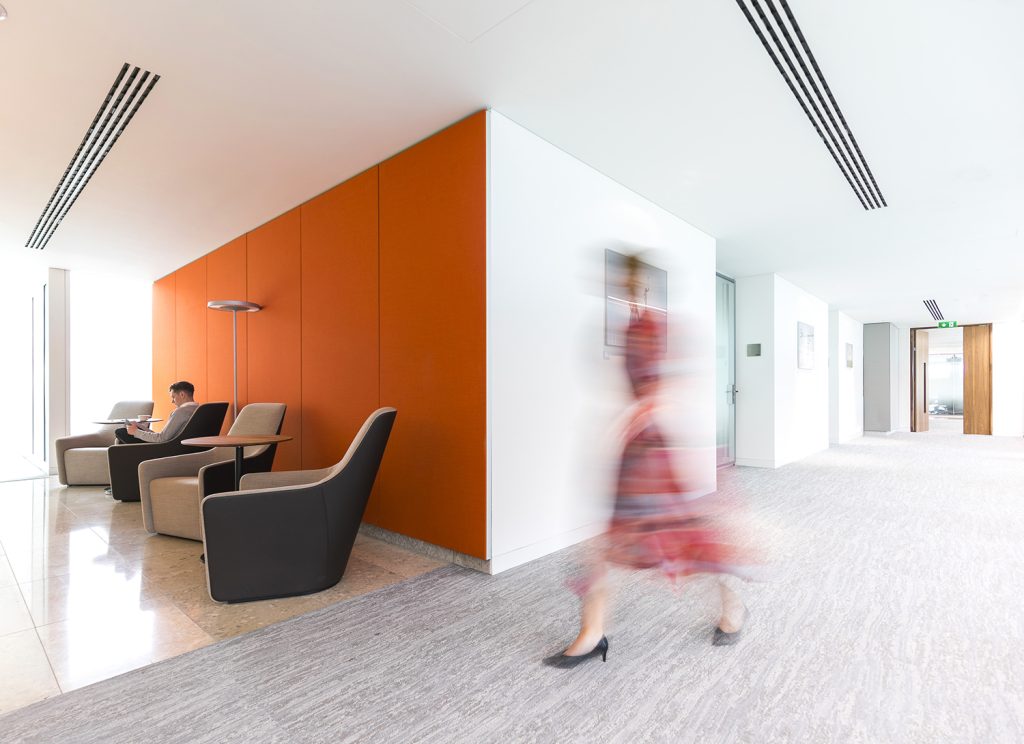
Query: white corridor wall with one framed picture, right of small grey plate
(801,396)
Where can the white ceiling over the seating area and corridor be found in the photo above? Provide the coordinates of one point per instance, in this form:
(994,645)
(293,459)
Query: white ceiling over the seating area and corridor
(264,105)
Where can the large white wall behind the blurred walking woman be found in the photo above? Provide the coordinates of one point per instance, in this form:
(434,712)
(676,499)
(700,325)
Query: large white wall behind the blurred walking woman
(552,395)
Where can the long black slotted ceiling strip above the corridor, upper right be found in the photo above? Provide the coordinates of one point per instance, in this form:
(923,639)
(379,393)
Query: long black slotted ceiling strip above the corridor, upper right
(798,67)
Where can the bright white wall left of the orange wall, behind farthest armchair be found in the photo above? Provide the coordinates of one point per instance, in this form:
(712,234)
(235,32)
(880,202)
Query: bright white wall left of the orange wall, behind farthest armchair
(111,334)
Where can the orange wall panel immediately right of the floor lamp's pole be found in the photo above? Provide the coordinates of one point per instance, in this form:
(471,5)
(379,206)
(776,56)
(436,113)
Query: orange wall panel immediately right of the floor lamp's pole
(275,342)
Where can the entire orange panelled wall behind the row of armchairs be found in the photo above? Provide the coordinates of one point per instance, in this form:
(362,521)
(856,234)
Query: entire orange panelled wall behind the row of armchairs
(374,294)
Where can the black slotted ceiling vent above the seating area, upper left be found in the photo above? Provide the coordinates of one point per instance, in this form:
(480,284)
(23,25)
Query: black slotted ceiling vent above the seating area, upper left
(130,91)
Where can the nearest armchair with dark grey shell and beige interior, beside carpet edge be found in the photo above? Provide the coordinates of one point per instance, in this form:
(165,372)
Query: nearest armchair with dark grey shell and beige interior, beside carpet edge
(291,534)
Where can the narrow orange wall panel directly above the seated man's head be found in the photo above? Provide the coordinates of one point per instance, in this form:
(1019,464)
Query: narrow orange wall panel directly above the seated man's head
(190,321)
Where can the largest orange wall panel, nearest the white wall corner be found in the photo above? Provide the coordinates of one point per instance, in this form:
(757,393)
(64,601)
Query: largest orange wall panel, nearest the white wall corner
(434,336)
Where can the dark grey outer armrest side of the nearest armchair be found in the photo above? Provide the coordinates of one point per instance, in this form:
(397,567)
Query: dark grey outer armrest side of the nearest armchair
(266,544)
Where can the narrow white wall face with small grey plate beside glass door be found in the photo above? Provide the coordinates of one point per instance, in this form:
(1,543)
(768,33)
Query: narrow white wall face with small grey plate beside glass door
(756,375)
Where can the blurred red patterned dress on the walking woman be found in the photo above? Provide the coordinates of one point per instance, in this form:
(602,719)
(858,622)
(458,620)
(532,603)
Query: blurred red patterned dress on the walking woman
(654,524)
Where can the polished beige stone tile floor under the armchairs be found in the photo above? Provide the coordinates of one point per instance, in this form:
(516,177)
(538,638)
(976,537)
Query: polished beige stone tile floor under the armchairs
(88,594)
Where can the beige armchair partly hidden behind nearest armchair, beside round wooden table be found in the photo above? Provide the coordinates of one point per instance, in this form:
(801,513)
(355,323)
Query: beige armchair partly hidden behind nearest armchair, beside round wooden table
(173,489)
